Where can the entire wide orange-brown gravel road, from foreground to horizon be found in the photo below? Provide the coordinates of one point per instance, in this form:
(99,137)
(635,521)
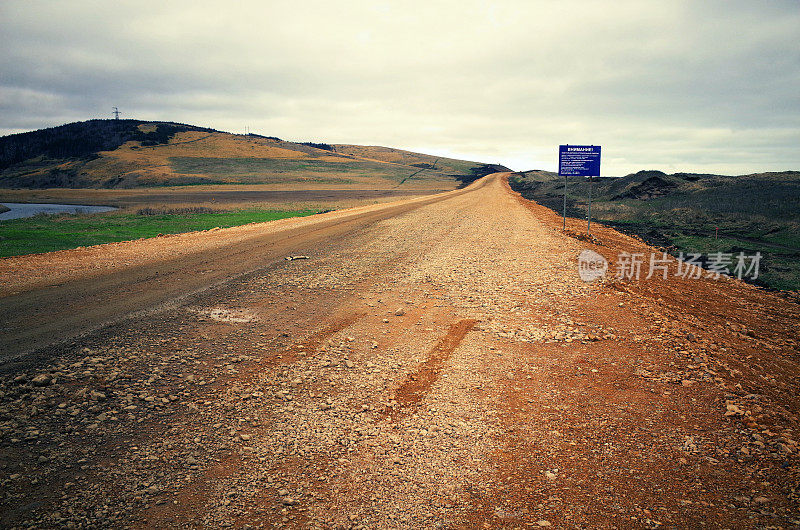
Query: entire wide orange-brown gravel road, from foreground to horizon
(428,364)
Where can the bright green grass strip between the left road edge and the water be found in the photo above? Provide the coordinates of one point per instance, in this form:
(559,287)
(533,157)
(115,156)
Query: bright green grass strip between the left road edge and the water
(46,233)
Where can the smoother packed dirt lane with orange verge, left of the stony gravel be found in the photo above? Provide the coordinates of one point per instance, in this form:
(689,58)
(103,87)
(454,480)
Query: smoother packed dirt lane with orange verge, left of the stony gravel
(50,297)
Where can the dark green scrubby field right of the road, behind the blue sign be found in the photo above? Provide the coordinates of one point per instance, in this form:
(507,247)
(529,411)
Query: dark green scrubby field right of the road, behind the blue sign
(692,213)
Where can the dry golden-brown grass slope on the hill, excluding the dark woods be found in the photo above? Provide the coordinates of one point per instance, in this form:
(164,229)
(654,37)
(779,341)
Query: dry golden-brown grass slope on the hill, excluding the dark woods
(360,167)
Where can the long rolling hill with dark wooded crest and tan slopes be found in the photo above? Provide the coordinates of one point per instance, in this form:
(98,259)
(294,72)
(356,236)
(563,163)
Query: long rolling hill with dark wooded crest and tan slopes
(134,154)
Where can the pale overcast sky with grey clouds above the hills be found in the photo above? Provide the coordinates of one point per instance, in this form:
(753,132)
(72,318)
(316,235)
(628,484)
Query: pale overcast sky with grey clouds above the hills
(676,86)
